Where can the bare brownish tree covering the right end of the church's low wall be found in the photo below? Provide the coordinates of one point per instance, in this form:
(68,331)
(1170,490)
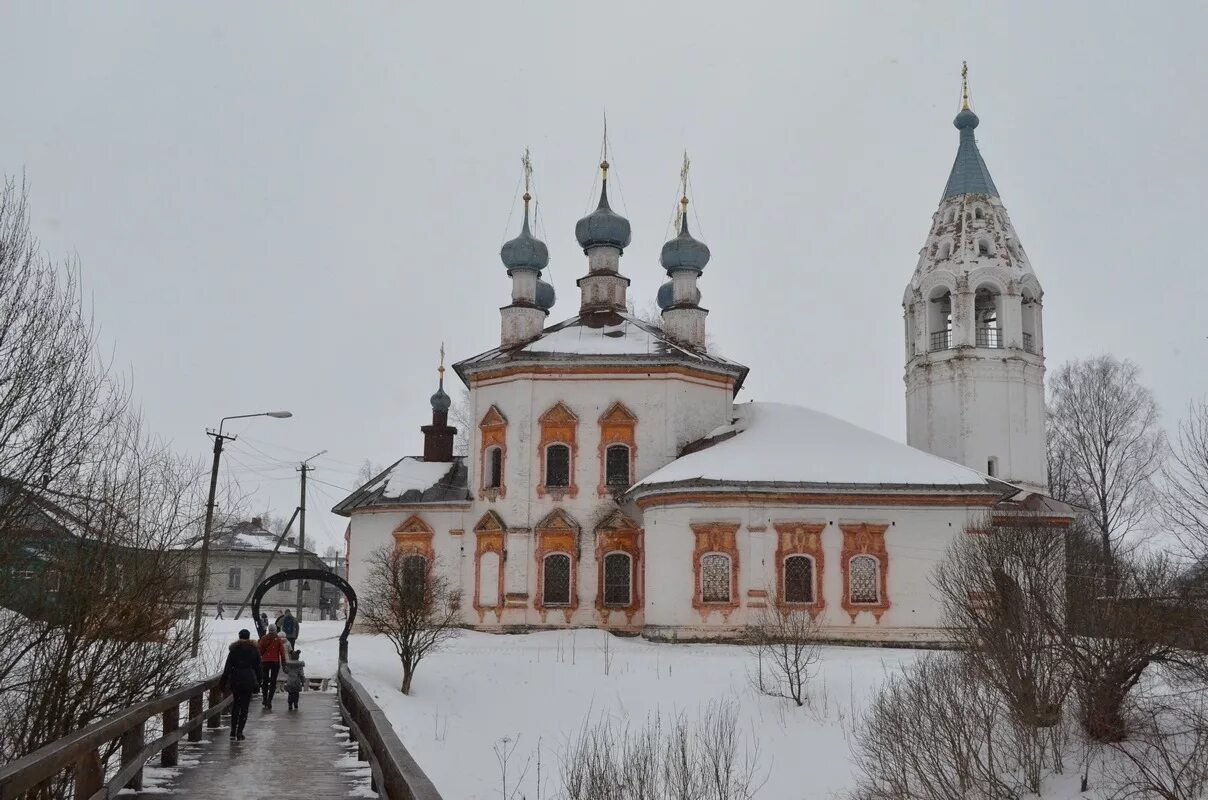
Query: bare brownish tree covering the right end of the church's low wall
(1003,594)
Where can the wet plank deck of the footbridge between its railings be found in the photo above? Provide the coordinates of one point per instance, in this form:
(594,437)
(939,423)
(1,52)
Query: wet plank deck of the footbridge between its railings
(286,756)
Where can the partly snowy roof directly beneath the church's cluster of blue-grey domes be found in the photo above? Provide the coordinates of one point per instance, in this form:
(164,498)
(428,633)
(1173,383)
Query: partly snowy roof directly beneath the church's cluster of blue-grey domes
(622,339)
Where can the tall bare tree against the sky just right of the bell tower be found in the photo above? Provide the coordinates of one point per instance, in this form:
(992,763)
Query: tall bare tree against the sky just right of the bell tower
(1106,445)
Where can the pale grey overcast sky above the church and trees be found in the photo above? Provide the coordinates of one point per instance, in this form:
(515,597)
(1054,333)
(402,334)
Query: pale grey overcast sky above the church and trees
(293,205)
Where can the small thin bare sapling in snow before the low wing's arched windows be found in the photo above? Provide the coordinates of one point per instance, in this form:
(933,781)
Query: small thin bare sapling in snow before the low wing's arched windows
(785,642)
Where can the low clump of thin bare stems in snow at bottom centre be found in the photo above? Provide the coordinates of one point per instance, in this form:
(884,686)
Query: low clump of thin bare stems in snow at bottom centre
(710,760)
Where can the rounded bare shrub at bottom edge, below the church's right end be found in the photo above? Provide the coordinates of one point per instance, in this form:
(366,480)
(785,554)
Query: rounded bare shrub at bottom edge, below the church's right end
(942,733)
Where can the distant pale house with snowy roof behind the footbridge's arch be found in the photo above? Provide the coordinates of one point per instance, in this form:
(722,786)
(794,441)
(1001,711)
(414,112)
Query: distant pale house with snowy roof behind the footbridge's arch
(239,554)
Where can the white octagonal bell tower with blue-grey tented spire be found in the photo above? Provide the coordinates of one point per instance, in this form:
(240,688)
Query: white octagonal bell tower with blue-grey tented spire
(975,368)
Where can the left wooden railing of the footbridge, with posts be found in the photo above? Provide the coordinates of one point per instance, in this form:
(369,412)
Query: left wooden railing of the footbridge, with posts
(80,752)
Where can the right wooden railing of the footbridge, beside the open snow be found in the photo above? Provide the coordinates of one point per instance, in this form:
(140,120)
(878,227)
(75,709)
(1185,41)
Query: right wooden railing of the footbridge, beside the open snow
(396,774)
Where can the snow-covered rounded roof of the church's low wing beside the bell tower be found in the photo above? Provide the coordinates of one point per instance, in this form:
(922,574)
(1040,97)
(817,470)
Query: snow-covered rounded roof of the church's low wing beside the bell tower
(774,443)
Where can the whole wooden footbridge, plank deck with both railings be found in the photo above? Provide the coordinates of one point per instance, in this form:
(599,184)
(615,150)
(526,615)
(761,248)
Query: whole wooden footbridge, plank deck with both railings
(311,753)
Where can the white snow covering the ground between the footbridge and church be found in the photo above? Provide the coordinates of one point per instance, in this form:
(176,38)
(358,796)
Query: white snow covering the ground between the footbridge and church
(543,687)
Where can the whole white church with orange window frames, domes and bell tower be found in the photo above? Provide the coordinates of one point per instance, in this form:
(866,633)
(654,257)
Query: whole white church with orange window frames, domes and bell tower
(613,479)
